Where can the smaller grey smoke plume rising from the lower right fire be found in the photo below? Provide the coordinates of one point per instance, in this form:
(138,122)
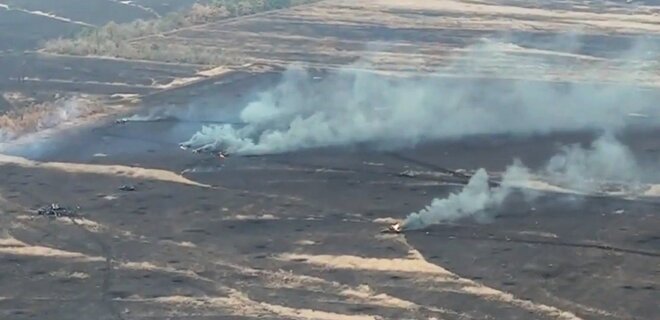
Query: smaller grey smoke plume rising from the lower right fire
(606,160)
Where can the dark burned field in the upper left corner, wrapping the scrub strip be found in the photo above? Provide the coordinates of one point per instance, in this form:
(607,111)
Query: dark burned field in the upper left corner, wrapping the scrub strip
(26,25)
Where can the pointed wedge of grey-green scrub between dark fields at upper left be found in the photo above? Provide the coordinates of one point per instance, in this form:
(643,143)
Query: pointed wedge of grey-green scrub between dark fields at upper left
(122,40)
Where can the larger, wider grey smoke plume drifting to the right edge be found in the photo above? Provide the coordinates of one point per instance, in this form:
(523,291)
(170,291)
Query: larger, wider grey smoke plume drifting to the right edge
(356,106)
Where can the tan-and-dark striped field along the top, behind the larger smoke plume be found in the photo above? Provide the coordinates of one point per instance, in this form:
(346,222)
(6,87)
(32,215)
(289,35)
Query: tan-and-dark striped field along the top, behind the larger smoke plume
(394,36)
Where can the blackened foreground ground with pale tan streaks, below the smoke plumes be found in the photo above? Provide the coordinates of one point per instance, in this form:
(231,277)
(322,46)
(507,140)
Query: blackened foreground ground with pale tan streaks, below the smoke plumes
(297,234)
